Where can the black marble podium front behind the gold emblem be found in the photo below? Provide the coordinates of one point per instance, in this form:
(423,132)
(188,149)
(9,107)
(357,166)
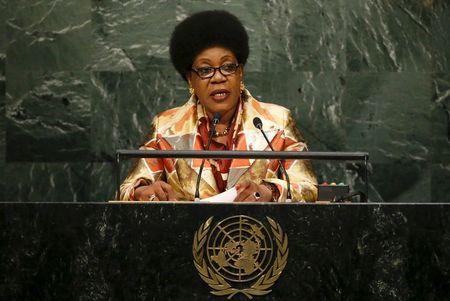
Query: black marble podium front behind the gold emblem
(145,251)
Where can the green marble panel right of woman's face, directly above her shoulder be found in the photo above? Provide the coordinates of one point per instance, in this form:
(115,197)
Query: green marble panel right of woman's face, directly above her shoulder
(315,101)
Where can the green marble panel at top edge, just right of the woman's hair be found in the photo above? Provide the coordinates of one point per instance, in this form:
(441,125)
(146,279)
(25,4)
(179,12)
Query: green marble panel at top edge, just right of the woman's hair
(304,35)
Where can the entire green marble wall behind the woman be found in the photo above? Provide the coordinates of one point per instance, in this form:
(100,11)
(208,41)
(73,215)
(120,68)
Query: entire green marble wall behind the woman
(81,78)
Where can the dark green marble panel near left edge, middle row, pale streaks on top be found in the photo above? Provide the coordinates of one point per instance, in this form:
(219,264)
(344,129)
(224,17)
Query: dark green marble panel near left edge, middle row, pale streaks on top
(48,117)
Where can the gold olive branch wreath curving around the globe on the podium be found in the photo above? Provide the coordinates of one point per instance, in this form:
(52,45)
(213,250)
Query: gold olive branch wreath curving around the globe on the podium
(219,285)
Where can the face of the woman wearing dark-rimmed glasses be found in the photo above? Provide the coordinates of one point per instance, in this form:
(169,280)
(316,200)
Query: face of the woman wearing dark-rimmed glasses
(220,93)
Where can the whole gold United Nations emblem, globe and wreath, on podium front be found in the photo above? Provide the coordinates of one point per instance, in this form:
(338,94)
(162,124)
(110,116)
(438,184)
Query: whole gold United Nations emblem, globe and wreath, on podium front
(238,255)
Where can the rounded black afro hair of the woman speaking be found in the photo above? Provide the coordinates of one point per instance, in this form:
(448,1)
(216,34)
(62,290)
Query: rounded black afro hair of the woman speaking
(207,29)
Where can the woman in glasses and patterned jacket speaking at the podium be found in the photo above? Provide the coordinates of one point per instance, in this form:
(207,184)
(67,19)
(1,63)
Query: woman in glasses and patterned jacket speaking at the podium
(209,49)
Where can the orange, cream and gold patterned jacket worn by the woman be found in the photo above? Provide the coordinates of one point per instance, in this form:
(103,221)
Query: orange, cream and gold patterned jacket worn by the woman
(177,129)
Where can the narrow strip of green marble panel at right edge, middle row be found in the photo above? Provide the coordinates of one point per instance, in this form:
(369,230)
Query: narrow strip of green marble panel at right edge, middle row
(440,119)
